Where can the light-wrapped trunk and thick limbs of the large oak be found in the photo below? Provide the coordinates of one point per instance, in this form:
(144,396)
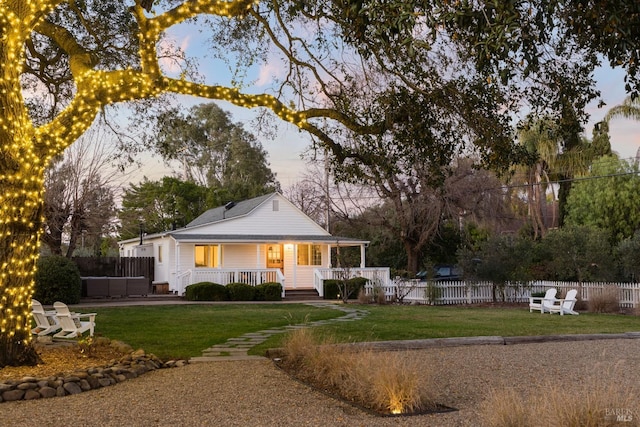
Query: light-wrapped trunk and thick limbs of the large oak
(62,62)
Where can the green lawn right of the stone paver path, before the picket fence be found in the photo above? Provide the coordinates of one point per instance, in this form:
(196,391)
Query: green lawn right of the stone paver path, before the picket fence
(395,322)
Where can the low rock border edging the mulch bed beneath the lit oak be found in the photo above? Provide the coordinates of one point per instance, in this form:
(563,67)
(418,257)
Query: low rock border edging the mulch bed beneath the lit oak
(128,367)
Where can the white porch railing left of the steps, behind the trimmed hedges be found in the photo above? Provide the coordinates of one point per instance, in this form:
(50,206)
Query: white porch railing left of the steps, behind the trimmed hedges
(224,276)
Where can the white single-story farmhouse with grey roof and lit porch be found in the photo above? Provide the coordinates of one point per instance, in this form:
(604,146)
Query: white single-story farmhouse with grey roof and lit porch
(265,239)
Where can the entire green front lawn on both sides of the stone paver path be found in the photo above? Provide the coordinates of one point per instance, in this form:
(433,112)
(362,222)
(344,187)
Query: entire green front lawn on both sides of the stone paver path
(182,331)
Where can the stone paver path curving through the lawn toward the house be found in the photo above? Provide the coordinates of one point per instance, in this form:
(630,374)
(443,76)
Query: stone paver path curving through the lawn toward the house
(237,348)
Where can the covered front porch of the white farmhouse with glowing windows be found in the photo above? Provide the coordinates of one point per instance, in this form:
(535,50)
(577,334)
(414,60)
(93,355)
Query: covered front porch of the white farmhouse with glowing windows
(289,260)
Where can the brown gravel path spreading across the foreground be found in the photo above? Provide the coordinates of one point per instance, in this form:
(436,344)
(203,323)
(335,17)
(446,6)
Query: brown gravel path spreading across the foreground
(255,393)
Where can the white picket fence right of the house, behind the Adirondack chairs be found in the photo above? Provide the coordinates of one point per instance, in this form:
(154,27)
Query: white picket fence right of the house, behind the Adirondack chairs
(461,292)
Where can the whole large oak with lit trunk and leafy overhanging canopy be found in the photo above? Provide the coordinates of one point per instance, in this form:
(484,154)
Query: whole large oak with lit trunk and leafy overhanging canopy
(63,62)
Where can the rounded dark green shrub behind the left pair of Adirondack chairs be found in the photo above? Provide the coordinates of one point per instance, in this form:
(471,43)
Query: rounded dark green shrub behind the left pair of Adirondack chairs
(57,279)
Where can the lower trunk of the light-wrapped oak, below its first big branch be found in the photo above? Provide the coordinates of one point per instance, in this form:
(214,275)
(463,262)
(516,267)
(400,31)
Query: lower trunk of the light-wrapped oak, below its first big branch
(21,205)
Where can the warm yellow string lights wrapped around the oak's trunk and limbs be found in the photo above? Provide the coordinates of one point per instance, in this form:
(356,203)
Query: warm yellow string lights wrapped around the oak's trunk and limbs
(26,149)
